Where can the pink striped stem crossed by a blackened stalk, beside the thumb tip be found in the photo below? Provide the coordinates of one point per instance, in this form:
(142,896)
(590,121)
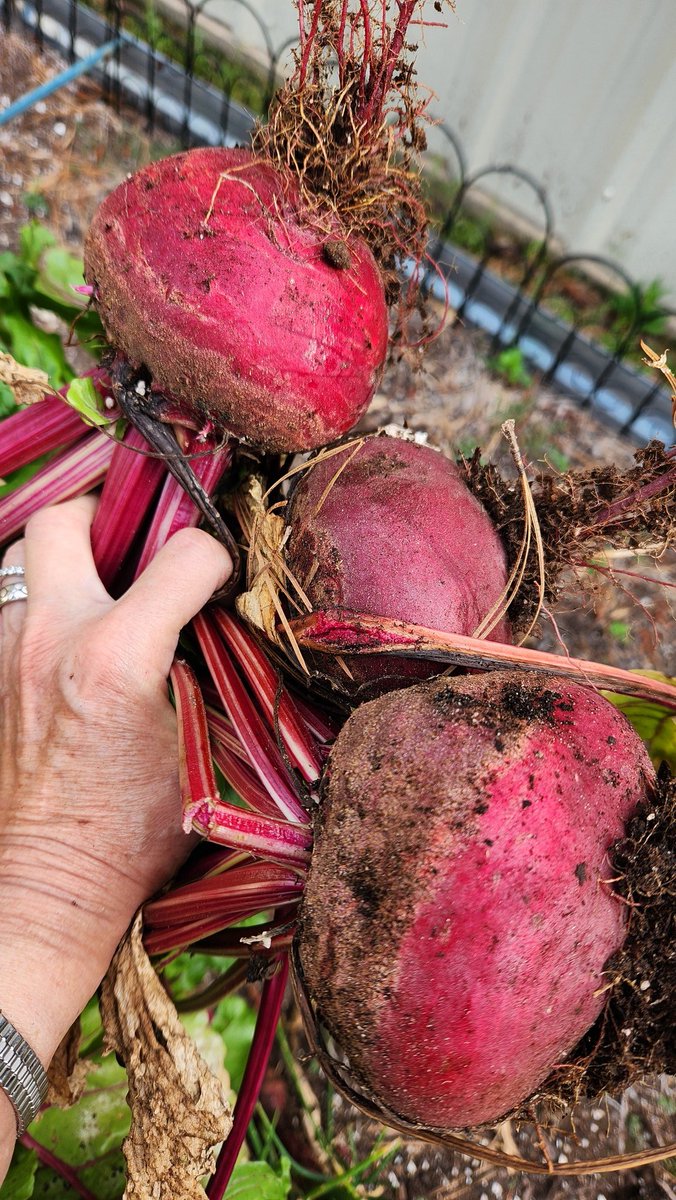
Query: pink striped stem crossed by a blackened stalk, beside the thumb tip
(175,509)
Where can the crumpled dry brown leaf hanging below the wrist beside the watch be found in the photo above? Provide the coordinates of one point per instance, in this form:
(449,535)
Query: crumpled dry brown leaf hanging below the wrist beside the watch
(180,1108)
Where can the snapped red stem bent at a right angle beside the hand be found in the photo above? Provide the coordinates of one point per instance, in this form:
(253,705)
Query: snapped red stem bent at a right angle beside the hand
(204,809)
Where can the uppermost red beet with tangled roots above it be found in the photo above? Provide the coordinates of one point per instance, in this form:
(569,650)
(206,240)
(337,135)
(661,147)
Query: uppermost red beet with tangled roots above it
(259,317)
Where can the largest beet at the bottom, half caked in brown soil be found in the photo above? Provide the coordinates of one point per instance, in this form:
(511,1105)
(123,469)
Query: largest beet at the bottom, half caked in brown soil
(458,914)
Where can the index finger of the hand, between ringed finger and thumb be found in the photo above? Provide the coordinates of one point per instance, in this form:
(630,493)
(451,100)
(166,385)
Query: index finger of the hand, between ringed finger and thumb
(61,572)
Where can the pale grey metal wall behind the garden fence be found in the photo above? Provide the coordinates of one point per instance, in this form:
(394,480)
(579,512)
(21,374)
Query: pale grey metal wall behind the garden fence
(579,93)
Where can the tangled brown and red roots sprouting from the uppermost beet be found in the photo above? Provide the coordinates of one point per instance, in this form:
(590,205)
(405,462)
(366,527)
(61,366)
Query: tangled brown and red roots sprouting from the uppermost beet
(350,125)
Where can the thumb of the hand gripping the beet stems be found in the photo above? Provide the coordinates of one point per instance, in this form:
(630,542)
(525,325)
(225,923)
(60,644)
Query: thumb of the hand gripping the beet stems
(180,581)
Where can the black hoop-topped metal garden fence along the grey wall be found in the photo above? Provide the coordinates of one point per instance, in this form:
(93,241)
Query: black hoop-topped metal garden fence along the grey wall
(181,67)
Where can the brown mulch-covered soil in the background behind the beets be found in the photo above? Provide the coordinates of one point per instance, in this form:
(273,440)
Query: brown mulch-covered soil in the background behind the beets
(57,163)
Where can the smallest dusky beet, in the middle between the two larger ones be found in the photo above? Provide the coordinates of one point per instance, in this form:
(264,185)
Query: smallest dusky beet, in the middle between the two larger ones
(398,535)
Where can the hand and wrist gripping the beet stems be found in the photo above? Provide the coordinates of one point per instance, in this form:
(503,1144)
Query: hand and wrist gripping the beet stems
(89,800)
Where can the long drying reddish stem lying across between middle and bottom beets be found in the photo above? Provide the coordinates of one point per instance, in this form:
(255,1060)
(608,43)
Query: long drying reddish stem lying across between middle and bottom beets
(339,632)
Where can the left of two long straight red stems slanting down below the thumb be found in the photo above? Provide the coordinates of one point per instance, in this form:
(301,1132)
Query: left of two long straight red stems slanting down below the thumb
(253,733)
